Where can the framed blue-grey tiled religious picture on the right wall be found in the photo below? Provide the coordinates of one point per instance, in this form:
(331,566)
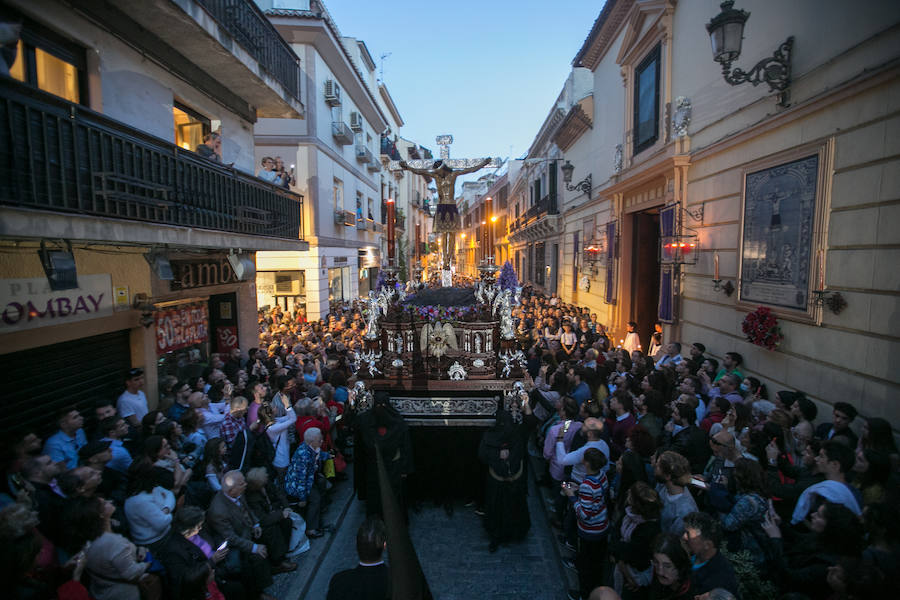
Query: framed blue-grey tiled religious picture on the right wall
(781,210)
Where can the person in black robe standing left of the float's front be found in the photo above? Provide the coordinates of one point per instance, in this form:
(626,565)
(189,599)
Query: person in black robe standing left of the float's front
(382,425)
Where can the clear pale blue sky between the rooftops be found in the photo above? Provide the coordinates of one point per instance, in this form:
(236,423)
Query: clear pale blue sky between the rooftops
(486,72)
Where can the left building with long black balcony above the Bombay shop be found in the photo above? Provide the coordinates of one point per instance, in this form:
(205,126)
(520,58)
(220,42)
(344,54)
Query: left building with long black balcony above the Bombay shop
(127,241)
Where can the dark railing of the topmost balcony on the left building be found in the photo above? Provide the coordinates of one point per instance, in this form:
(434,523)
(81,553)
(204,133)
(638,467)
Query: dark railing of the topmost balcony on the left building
(244,21)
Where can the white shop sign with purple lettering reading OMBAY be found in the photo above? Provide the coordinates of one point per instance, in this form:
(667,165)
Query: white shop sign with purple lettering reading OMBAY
(30,303)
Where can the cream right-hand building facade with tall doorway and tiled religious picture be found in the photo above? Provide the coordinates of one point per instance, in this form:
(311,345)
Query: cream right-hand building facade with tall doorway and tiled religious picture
(712,198)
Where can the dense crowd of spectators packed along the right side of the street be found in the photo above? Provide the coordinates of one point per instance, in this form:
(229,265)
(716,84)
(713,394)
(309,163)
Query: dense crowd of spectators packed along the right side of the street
(707,486)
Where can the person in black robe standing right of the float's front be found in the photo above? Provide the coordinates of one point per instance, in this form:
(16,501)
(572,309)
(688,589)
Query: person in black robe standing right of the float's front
(503,450)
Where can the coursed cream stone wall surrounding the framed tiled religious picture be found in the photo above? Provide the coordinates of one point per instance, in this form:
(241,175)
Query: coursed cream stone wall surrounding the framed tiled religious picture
(849,356)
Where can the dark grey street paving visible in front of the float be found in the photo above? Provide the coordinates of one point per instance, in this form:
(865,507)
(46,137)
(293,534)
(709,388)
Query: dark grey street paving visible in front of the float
(454,555)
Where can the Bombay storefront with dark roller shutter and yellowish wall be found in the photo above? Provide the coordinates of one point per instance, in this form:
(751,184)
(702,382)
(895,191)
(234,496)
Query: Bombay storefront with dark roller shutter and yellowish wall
(65,347)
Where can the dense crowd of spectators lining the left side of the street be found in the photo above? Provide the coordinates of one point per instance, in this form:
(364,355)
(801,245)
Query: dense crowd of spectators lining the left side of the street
(224,483)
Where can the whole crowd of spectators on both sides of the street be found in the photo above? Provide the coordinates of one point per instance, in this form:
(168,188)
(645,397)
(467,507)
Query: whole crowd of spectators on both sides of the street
(675,476)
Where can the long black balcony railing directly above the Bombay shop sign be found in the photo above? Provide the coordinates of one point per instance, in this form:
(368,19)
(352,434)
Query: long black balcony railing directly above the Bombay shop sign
(58,156)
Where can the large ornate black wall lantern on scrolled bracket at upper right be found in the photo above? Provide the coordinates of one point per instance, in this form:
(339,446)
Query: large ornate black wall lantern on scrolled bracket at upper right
(726,33)
